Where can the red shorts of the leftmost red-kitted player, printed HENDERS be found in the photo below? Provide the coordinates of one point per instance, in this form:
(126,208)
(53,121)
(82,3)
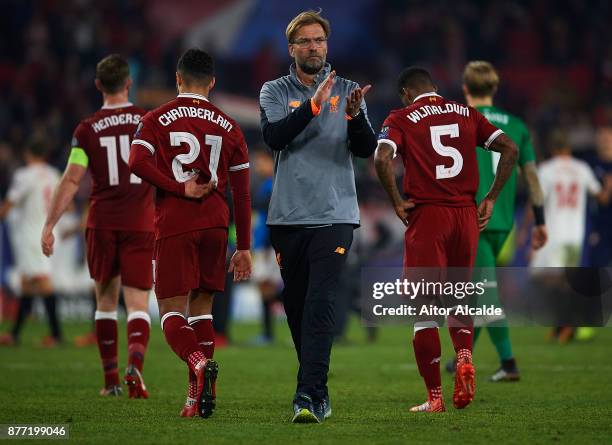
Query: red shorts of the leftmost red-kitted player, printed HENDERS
(119,252)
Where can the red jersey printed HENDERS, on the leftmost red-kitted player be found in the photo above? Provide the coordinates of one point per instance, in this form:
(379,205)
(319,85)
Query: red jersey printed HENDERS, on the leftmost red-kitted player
(119,199)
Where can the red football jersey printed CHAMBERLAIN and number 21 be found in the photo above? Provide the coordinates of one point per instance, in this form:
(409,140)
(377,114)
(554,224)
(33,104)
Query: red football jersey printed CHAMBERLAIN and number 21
(189,135)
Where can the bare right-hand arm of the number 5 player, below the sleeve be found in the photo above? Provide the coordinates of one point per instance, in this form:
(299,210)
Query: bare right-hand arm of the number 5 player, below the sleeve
(501,143)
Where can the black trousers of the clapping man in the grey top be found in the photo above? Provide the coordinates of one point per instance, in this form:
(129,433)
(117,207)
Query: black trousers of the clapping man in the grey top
(311,260)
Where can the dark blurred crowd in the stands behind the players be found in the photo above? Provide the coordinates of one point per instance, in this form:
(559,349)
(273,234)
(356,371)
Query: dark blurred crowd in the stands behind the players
(554,58)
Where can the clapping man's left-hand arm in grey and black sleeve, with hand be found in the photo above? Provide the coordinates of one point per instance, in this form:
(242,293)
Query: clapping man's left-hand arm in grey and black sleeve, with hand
(279,128)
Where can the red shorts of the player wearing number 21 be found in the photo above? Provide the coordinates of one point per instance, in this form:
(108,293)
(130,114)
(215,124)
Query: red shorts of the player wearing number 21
(189,261)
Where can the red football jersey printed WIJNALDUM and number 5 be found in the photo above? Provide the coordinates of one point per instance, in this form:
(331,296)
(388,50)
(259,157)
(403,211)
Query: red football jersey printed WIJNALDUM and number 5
(437,141)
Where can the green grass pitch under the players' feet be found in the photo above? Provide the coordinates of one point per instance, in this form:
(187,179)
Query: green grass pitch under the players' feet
(565,395)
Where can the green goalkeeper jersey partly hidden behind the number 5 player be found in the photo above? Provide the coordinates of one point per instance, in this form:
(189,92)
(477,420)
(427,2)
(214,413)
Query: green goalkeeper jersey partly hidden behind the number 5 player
(515,128)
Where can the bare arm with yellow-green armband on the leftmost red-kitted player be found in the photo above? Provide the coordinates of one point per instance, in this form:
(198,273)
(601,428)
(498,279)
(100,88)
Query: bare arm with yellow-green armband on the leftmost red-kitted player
(63,196)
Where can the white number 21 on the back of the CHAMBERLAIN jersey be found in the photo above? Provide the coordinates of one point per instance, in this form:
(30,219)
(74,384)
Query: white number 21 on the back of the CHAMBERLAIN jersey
(179,137)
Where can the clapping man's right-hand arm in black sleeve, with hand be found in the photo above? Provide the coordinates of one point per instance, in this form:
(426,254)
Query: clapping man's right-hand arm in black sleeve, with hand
(362,139)
